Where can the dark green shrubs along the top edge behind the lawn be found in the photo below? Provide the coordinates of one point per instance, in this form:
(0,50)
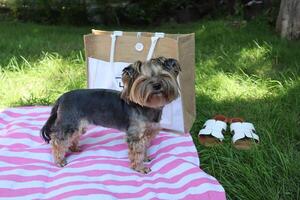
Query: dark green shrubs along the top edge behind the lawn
(123,12)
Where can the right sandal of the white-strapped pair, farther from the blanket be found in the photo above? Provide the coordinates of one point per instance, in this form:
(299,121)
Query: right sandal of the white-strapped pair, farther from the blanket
(243,134)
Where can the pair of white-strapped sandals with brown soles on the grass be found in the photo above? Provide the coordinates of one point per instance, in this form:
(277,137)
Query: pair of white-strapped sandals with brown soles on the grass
(243,133)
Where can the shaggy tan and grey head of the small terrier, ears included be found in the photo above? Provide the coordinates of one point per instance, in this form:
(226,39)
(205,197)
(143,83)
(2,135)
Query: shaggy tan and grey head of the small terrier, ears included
(152,83)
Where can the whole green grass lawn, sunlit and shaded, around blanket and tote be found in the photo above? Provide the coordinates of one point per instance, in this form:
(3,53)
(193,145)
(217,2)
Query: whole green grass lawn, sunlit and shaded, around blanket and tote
(245,71)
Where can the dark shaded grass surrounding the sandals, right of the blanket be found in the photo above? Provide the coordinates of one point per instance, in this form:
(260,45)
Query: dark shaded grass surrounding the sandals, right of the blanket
(273,164)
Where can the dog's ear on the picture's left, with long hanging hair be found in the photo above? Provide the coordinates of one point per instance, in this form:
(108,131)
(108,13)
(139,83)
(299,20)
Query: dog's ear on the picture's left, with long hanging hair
(128,75)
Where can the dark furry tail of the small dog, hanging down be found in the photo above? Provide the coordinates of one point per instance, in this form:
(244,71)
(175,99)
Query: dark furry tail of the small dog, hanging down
(47,128)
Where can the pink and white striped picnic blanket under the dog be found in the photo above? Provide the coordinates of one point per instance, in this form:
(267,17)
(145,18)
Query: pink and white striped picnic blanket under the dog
(101,170)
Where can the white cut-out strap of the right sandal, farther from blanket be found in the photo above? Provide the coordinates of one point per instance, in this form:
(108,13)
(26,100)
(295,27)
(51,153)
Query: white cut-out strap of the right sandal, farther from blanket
(243,130)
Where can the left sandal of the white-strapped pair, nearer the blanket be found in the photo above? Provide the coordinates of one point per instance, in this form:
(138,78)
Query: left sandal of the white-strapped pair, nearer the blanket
(212,131)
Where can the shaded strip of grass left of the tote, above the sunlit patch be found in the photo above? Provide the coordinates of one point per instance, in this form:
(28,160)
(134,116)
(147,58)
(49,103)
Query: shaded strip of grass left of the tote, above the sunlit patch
(27,42)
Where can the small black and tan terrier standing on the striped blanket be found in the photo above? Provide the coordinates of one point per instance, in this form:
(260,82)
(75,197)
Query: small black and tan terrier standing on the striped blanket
(137,110)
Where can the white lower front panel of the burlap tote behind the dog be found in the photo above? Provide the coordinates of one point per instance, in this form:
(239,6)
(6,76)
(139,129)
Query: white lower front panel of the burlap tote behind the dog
(103,75)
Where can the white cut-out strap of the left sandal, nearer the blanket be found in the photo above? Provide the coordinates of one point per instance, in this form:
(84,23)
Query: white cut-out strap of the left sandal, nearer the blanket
(214,128)
